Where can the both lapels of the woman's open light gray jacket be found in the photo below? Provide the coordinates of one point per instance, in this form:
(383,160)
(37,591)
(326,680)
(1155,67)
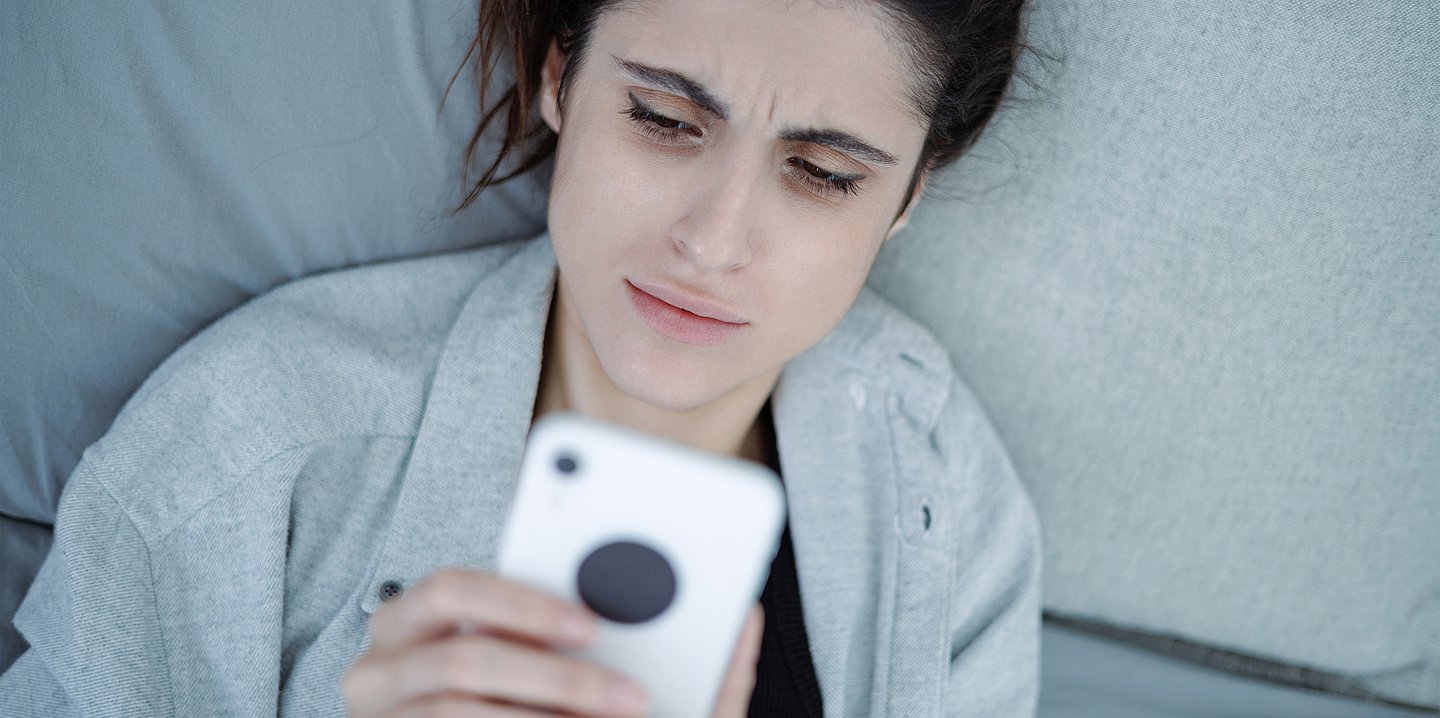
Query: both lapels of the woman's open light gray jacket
(836,408)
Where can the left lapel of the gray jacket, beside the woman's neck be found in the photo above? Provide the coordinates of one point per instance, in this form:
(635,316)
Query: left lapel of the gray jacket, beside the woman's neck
(467,453)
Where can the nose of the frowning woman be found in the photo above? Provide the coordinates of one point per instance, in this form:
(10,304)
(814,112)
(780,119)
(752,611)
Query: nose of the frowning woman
(716,234)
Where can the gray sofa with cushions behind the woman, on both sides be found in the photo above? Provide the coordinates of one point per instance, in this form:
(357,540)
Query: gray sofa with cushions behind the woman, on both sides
(1193,273)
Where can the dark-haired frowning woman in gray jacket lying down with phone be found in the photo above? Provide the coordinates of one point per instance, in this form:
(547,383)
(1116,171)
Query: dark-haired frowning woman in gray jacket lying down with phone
(302,506)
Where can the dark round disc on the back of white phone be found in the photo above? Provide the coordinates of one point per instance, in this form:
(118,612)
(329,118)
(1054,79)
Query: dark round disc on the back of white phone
(627,582)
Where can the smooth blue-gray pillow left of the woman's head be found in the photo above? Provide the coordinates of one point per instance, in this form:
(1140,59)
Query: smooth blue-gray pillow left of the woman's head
(163,162)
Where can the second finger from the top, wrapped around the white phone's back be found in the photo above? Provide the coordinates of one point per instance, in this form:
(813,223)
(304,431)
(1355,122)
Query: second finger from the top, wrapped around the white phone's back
(490,668)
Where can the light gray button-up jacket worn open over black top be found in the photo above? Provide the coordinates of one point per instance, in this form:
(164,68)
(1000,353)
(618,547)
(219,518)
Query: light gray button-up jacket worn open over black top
(221,549)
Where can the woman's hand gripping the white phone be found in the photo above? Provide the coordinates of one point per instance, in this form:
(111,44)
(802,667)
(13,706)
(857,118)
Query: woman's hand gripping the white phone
(472,644)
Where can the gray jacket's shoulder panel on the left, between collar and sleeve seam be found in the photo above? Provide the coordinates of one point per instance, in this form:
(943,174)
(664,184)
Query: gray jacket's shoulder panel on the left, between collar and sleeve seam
(342,355)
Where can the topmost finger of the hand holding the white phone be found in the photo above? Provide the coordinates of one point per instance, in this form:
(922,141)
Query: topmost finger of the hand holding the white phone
(456,598)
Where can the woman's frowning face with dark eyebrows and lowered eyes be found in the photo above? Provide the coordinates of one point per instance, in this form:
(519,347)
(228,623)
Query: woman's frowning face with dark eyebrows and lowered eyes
(742,160)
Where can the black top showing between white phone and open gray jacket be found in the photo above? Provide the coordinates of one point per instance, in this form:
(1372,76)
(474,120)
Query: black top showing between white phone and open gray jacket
(786,683)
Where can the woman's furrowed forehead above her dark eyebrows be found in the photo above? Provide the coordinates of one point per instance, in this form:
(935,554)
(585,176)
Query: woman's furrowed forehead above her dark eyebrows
(780,63)
